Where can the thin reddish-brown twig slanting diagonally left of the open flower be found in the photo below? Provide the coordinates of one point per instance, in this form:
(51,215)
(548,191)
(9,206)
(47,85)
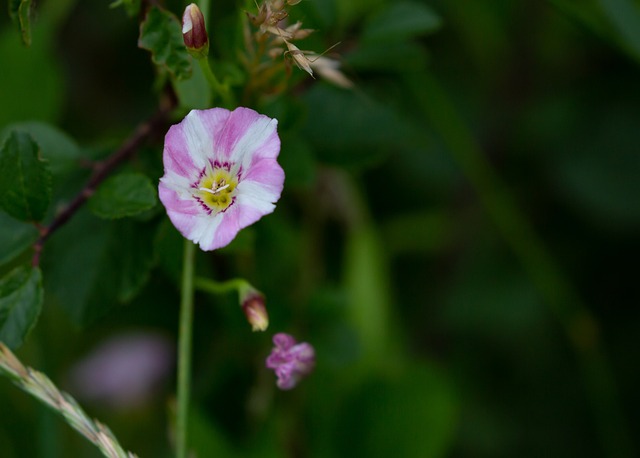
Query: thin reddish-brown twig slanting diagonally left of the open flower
(102,170)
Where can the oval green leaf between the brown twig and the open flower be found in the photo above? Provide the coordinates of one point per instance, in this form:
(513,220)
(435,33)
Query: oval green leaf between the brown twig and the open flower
(123,195)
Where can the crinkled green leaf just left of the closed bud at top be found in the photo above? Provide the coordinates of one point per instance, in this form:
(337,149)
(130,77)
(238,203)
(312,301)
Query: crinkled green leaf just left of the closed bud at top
(161,34)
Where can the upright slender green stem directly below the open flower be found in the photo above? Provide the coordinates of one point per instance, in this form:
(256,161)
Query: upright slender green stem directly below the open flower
(184,349)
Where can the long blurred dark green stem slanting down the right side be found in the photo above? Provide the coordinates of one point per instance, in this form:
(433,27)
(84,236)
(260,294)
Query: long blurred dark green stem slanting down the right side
(563,300)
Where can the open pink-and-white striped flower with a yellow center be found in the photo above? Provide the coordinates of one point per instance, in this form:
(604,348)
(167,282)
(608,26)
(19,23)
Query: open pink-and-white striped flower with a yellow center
(220,173)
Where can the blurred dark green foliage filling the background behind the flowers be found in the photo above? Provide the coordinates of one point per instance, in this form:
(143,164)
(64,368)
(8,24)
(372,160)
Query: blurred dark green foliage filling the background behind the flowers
(442,225)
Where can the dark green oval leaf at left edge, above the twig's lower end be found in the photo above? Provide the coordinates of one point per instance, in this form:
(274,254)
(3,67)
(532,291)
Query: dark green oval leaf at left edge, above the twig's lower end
(25,180)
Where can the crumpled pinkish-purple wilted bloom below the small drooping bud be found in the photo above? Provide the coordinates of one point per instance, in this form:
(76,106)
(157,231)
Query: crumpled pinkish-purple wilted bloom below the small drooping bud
(290,360)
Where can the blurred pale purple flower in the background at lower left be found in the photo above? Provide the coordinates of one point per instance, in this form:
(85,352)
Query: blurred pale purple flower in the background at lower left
(124,371)
